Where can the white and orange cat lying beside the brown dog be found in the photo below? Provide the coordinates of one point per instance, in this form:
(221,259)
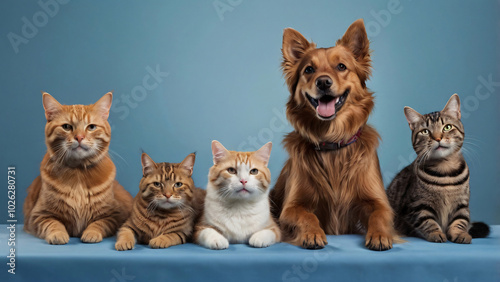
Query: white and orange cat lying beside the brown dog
(237,206)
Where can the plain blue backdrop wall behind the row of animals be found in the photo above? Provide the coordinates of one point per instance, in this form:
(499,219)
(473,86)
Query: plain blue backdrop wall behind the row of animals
(224,80)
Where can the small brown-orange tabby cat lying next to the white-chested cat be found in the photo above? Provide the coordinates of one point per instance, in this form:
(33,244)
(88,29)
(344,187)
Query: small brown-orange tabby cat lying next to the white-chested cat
(165,208)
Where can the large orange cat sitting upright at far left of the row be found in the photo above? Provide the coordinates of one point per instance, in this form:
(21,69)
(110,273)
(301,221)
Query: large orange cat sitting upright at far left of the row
(76,193)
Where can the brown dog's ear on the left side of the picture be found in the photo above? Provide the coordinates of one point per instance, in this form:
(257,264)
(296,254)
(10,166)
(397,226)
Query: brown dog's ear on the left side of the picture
(294,45)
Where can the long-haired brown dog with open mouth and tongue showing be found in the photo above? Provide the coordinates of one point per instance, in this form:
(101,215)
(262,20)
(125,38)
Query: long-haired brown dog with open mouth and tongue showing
(332,182)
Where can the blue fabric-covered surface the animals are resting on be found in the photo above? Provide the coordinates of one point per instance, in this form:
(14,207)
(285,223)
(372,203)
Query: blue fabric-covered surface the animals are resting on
(344,259)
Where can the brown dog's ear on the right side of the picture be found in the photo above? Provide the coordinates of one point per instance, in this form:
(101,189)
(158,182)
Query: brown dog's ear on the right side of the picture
(356,40)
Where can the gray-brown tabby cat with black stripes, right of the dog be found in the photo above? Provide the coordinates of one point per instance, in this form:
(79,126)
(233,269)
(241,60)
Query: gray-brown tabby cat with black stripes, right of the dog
(430,197)
